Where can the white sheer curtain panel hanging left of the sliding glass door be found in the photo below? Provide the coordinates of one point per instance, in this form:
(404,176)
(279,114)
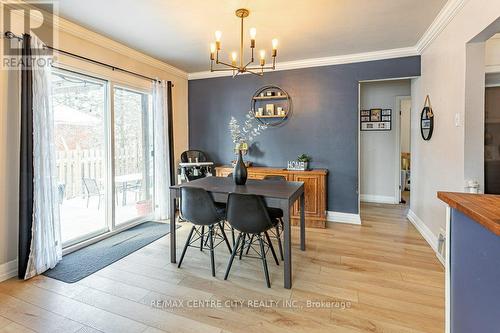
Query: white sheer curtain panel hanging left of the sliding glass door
(46,247)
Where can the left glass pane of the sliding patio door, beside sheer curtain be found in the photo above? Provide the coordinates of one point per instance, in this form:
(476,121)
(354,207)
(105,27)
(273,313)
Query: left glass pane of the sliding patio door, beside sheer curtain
(79,104)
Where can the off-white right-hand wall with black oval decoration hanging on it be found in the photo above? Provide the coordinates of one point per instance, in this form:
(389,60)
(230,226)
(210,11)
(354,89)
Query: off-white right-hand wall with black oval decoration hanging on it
(438,164)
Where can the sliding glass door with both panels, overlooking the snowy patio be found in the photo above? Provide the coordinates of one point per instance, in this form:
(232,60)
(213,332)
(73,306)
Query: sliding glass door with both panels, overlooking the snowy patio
(103,155)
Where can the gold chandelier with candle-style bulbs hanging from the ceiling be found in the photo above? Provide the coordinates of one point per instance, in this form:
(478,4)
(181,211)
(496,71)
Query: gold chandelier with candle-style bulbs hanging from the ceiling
(241,67)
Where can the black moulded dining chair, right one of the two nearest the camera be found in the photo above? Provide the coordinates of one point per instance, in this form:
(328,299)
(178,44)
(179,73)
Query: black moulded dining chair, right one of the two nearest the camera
(248,214)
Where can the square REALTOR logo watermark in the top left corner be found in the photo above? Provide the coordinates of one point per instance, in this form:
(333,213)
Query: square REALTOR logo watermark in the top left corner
(22,17)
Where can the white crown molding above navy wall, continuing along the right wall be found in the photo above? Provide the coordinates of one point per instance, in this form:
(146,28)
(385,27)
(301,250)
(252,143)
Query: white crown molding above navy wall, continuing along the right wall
(447,13)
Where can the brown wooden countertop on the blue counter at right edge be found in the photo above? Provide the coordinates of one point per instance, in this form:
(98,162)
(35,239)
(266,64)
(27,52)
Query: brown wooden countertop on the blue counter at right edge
(482,208)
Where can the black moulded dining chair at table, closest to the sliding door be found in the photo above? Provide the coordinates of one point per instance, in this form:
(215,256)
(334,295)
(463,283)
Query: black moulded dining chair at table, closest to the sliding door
(198,207)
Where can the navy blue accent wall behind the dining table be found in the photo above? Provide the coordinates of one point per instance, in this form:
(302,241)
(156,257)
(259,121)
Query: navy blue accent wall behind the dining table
(324,123)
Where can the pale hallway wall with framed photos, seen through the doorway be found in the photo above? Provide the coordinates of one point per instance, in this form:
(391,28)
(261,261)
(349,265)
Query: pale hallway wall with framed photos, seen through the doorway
(379,150)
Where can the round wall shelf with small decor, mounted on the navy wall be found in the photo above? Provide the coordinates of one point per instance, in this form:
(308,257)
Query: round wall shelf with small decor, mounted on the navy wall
(271,105)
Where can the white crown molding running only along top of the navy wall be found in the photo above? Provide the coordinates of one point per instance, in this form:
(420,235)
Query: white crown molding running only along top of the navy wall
(324,61)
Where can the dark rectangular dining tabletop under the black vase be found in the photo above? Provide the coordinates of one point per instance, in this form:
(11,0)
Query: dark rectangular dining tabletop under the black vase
(267,188)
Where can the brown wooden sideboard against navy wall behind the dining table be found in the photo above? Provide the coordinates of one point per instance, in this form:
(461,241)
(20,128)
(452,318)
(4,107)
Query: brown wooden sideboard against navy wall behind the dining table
(315,186)
